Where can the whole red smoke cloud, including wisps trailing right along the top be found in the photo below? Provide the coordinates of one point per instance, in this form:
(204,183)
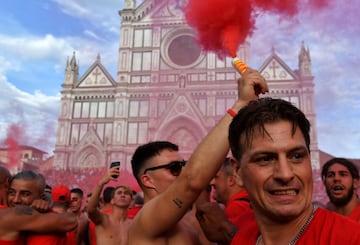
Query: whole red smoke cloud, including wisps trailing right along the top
(222,25)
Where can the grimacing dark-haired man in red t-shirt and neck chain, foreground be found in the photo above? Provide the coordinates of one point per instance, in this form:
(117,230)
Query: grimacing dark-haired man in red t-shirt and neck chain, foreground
(270,141)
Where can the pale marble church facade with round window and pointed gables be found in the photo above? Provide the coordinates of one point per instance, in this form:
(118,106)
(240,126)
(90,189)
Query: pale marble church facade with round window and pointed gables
(165,88)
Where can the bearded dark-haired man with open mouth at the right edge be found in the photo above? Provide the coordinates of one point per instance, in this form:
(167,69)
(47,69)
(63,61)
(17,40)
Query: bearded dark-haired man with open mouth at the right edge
(341,179)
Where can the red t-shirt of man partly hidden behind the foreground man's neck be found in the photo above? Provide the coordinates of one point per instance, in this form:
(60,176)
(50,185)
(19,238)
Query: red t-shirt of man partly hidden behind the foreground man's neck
(237,205)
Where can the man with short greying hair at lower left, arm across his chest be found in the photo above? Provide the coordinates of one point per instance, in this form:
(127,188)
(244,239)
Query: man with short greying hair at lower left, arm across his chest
(20,219)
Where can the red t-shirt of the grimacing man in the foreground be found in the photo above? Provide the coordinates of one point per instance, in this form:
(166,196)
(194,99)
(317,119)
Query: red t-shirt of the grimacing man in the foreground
(326,228)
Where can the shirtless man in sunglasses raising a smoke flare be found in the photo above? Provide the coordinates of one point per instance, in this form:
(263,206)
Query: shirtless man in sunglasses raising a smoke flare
(171,187)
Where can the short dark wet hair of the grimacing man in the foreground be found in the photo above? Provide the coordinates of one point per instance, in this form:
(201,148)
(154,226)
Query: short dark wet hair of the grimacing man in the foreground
(260,112)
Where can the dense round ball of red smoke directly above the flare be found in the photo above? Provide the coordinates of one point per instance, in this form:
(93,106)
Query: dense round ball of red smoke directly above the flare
(221,24)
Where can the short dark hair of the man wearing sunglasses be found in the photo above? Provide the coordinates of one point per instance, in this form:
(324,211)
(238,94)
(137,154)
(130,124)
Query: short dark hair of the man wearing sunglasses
(144,152)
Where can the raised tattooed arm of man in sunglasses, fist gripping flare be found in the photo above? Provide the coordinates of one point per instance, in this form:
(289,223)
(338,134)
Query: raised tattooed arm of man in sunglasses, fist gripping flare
(169,207)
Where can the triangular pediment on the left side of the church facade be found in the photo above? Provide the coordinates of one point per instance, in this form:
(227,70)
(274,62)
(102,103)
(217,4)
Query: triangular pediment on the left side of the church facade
(96,76)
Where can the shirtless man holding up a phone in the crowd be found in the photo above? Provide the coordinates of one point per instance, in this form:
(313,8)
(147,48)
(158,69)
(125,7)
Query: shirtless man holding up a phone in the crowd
(111,228)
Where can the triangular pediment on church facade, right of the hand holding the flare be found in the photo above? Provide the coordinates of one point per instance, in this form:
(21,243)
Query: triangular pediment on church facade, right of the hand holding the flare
(275,69)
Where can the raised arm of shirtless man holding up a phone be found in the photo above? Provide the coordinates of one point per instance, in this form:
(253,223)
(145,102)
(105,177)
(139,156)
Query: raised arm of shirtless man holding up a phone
(94,213)
